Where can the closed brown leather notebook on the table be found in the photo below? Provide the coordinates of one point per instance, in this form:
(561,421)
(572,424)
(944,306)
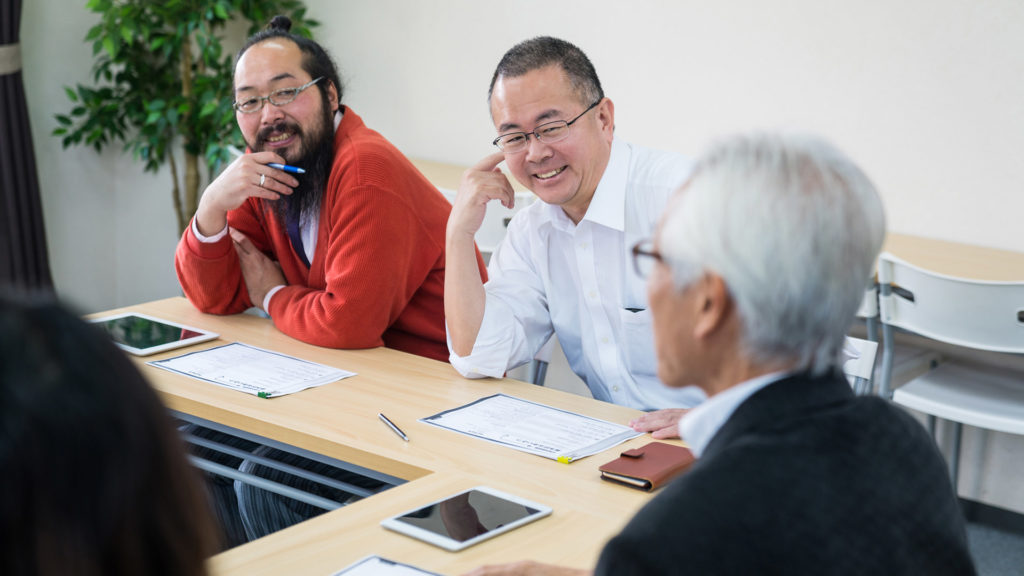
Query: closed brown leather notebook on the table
(650,467)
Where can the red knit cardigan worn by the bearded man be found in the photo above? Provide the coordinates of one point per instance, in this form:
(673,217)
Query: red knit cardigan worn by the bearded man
(377,277)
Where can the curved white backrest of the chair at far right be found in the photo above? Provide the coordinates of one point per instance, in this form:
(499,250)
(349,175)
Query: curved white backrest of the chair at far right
(975,314)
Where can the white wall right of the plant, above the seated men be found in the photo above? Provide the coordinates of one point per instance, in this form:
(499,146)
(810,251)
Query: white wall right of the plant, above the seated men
(927,96)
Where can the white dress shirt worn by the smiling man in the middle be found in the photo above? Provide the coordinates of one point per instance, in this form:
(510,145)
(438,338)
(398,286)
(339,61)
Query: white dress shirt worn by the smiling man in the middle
(549,275)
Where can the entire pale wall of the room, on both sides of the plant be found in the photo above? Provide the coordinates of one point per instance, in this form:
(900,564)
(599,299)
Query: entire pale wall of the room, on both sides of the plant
(927,96)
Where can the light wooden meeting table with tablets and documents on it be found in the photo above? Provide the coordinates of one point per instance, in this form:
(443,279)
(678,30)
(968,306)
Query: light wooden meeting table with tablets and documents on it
(340,421)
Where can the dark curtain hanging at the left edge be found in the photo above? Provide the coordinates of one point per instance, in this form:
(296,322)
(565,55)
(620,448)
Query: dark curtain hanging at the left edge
(24,263)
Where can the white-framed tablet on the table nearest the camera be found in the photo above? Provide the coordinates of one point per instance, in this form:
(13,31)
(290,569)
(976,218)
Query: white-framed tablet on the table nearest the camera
(467,518)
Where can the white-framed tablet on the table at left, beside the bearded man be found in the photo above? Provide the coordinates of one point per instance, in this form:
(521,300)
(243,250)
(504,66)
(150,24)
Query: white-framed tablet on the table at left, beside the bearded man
(143,336)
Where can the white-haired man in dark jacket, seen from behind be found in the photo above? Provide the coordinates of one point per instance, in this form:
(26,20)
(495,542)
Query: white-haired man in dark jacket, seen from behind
(755,276)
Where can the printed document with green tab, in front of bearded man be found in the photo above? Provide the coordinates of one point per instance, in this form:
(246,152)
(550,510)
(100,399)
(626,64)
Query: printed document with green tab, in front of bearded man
(252,371)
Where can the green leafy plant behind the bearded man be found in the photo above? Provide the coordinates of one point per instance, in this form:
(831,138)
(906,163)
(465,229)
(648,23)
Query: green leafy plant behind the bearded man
(163,80)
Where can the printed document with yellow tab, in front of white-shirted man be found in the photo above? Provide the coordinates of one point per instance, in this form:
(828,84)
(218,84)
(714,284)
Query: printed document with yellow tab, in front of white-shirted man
(533,428)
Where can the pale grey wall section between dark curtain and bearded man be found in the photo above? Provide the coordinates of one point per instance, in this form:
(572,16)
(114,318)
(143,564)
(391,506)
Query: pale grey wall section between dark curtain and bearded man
(110,227)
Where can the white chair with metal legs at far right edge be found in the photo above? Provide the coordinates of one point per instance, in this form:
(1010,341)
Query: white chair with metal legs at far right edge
(978,315)
